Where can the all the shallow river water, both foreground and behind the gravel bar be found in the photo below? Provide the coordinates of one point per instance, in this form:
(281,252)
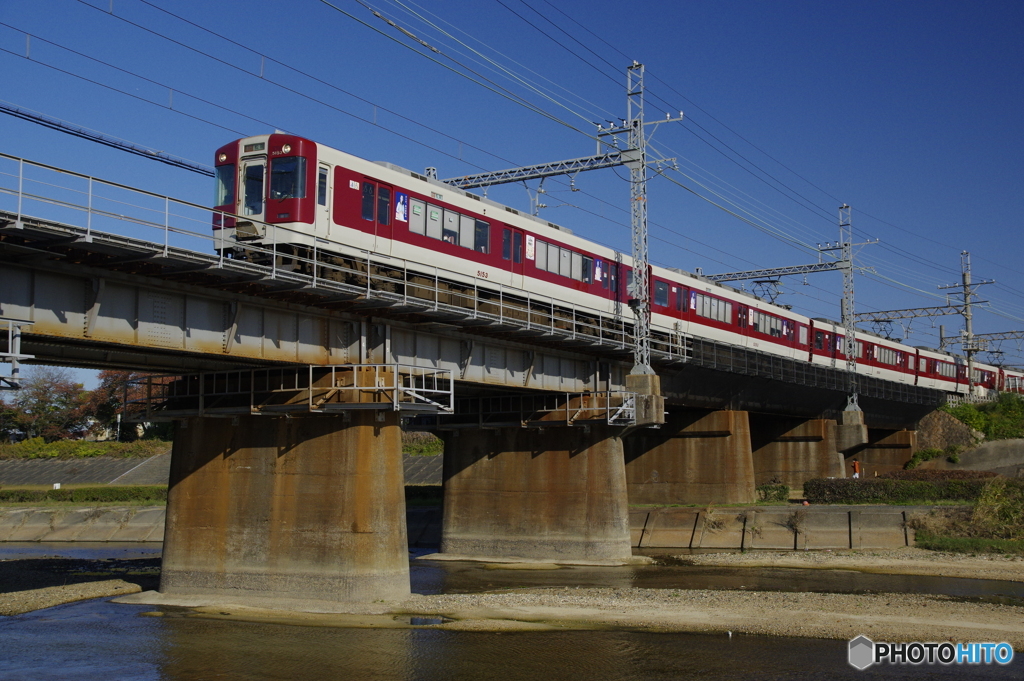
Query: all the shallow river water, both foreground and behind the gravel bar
(107,642)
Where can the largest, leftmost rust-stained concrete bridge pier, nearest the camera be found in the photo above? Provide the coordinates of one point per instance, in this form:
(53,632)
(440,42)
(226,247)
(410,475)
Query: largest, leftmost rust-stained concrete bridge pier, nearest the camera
(305,509)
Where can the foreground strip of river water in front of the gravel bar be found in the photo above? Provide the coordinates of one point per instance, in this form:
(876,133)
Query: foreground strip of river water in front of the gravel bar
(104,642)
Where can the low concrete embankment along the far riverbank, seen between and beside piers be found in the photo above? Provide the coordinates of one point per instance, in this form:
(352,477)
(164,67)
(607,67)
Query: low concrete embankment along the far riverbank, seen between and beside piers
(755,528)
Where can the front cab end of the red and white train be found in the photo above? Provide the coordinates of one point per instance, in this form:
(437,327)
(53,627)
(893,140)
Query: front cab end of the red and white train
(267,199)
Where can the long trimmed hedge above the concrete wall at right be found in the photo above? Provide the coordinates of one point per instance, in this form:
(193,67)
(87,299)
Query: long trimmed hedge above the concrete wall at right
(890,491)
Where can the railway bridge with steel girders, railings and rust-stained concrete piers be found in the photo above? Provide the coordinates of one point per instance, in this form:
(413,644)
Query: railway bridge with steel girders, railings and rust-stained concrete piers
(292,387)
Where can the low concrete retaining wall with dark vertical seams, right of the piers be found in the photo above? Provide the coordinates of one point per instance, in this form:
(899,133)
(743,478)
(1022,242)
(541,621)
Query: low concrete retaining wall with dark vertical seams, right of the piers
(774,528)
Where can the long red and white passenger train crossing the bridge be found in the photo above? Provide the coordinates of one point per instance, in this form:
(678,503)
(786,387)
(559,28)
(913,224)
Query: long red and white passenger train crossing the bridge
(294,195)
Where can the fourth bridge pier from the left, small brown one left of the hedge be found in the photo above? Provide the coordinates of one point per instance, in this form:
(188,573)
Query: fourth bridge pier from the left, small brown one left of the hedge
(794,450)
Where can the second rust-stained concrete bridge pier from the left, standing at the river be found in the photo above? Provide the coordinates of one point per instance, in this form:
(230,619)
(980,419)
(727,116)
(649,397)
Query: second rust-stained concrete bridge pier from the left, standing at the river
(552,494)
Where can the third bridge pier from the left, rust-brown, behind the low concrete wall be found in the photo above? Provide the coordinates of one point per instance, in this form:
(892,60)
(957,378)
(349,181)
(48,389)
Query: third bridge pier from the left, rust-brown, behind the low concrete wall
(698,457)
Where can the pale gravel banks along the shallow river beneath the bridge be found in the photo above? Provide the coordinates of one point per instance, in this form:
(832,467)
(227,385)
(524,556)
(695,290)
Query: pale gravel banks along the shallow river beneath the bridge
(881,617)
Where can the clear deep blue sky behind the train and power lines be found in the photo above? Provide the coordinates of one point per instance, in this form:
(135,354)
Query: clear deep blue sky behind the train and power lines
(910,112)
